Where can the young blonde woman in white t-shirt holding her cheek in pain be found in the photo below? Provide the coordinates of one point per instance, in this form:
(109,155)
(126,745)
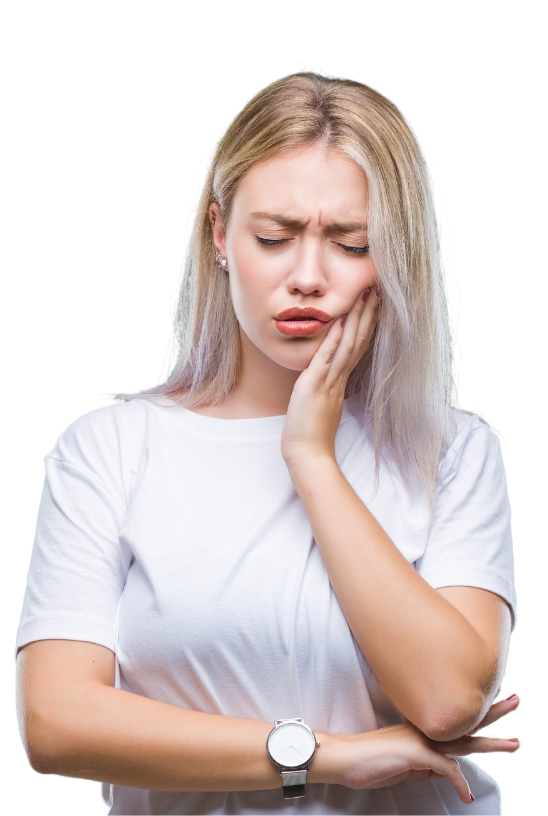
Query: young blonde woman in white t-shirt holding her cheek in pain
(285,570)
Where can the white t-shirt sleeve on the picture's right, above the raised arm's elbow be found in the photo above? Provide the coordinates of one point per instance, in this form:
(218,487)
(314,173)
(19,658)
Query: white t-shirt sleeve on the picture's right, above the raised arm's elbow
(470,539)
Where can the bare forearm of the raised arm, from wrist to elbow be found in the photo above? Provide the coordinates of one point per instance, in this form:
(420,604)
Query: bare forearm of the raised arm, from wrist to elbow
(425,654)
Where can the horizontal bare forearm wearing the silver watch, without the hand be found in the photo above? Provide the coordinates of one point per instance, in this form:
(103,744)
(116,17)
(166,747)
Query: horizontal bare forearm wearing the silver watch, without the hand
(121,738)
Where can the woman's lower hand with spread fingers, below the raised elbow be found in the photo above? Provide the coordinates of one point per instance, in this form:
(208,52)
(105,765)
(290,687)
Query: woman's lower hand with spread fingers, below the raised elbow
(387,756)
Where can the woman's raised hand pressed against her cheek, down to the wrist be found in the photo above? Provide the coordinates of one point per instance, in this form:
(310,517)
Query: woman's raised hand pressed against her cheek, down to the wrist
(316,404)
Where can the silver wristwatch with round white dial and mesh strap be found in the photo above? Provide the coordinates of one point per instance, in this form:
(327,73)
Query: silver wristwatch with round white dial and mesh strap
(291,746)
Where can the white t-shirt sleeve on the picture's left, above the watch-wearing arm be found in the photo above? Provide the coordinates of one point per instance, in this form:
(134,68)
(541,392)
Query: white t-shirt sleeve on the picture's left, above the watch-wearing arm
(78,565)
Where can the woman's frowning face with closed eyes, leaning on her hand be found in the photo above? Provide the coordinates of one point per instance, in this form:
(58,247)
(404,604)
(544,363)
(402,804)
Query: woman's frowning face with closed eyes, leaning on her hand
(326,196)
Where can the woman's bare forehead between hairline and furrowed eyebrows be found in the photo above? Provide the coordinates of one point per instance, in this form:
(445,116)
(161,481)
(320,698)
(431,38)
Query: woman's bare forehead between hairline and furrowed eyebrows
(305,183)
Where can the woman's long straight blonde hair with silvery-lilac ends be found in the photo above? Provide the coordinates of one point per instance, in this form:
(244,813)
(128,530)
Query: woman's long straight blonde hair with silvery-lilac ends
(406,385)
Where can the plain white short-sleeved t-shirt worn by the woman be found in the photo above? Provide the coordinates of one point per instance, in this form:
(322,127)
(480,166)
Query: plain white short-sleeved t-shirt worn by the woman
(178,541)
